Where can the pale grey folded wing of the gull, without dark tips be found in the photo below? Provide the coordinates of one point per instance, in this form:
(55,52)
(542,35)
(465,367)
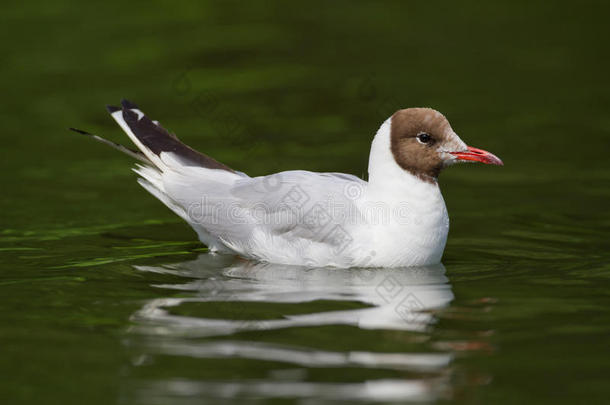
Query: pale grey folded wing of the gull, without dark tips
(295,209)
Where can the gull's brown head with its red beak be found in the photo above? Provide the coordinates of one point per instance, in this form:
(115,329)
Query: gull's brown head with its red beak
(423,143)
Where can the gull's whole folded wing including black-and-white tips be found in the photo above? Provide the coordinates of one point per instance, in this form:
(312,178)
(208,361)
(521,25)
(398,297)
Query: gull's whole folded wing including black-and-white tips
(296,213)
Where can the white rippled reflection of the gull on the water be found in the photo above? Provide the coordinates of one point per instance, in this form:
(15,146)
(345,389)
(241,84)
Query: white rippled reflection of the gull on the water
(398,300)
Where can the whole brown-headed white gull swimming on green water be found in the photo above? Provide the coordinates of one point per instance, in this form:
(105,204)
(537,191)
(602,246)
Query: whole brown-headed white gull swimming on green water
(396,218)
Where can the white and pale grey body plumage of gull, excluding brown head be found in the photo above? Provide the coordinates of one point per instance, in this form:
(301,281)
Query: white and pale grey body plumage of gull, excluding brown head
(318,219)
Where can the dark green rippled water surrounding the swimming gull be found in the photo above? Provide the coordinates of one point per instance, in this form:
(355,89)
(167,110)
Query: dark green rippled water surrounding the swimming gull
(107,297)
